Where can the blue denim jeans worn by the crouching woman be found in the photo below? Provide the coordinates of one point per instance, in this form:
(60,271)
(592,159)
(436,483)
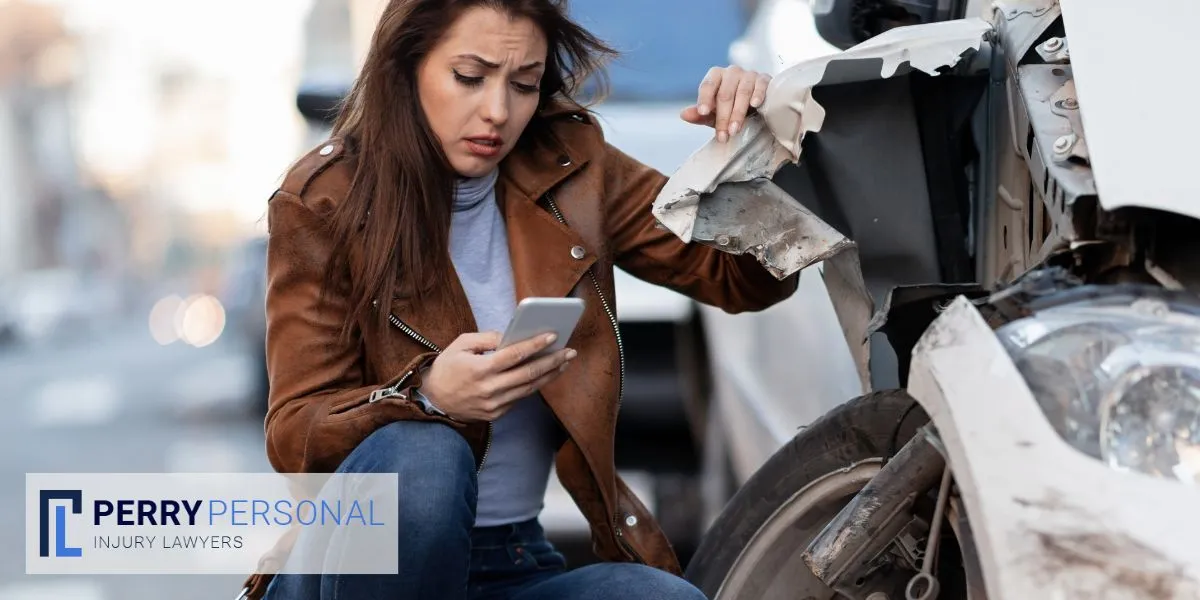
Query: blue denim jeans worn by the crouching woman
(443,557)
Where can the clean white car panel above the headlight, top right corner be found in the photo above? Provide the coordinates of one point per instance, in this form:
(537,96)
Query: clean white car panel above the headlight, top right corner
(1136,141)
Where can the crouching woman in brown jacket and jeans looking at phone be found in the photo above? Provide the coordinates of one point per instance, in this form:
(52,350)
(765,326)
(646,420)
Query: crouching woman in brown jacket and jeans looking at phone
(461,178)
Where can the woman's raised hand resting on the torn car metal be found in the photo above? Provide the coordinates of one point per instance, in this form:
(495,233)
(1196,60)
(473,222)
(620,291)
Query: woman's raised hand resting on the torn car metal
(727,97)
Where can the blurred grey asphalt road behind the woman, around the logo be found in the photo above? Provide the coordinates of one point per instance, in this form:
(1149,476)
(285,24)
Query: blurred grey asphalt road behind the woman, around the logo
(115,401)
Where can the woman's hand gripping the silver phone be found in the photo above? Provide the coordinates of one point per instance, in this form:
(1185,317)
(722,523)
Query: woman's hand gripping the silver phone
(472,383)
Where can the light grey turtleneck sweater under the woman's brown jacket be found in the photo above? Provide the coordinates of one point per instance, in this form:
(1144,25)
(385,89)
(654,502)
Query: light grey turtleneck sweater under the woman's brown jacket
(513,483)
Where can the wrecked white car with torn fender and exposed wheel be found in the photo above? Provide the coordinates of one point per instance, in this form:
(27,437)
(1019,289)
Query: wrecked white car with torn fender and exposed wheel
(1004,214)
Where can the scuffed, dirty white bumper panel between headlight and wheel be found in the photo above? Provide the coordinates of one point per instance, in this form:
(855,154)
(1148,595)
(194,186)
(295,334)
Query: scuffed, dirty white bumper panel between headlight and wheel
(1049,521)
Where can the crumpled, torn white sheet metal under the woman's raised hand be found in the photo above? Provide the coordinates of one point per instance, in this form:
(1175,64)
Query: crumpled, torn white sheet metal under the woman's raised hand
(723,195)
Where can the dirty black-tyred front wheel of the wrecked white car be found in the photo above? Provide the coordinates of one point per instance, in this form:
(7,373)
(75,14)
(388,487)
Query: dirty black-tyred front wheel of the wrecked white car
(754,549)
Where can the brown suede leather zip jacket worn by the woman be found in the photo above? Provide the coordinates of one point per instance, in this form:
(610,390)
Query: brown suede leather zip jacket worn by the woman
(327,397)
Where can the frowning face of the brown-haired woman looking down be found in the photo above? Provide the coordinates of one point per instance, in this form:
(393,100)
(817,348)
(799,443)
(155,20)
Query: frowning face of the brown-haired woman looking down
(479,87)
